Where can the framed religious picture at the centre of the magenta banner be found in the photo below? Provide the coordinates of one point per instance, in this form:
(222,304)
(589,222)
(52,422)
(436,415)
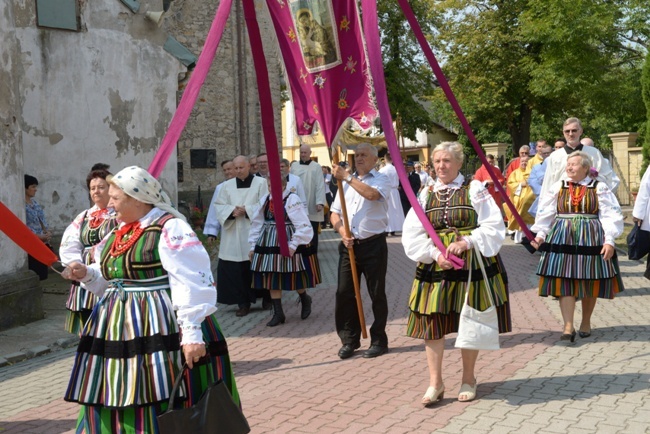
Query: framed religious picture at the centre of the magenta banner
(315,28)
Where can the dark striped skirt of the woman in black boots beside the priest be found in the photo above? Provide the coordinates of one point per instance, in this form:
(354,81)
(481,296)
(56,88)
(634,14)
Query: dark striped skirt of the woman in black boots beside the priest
(271,270)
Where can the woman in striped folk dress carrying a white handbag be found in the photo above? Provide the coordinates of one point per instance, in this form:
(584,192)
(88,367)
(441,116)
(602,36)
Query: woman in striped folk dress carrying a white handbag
(463,215)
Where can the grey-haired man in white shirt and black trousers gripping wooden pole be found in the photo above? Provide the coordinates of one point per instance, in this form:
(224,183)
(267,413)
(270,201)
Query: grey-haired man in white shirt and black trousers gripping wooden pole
(363,243)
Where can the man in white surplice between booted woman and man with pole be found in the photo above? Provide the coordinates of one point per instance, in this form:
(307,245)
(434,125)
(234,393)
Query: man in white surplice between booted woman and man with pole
(311,175)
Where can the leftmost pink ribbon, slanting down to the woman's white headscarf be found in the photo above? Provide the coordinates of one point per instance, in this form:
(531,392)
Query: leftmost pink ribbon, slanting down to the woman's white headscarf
(191,93)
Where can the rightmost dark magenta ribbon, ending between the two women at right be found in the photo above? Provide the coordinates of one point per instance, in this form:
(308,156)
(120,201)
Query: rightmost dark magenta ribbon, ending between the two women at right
(408,12)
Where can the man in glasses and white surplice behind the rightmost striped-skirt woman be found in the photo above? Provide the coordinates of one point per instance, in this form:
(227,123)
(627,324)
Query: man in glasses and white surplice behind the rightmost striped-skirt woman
(572,130)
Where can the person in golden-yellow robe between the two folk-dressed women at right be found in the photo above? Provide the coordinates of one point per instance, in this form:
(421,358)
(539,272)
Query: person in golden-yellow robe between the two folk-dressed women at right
(522,197)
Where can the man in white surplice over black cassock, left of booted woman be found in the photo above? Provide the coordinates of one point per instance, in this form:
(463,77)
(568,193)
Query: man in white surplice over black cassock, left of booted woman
(236,204)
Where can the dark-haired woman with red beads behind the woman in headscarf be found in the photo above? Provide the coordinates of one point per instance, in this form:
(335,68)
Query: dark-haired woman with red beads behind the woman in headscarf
(86,230)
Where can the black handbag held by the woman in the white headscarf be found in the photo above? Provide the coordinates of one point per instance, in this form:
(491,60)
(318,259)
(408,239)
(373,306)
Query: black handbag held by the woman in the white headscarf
(215,412)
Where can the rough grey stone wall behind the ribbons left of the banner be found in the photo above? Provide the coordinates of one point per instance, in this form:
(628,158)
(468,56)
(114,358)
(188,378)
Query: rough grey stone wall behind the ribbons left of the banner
(227,114)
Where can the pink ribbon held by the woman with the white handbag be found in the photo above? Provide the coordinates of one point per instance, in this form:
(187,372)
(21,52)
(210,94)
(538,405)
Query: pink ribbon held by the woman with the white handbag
(371,30)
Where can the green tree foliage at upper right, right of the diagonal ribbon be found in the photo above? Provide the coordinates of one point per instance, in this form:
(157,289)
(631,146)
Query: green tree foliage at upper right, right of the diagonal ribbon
(520,67)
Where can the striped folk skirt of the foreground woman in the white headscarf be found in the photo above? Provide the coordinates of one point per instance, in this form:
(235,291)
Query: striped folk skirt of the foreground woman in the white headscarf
(128,358)
